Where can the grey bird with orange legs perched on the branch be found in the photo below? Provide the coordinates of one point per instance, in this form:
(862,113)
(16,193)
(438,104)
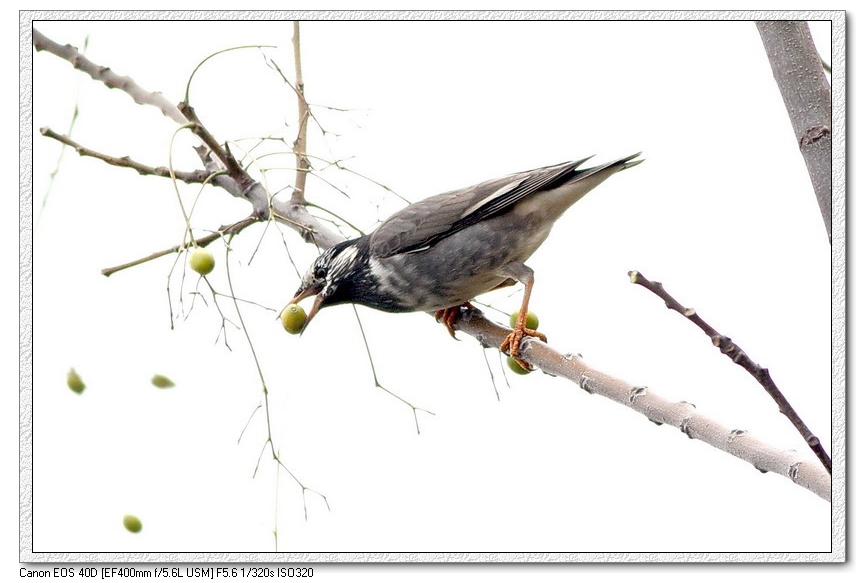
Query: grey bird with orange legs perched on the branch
(439,254)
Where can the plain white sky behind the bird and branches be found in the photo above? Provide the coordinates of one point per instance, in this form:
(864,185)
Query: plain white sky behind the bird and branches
(722,212)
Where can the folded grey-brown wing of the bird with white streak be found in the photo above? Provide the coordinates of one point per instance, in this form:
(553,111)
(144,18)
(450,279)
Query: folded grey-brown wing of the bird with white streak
(424,223)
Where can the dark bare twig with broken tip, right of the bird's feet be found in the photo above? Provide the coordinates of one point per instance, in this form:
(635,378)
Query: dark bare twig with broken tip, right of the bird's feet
(737,355)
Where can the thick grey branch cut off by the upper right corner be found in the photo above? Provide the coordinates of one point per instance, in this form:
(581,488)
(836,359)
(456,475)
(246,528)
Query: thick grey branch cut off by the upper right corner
(799,74)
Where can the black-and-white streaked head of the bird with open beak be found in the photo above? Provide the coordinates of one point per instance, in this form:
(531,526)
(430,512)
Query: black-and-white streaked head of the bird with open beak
(333,277)
